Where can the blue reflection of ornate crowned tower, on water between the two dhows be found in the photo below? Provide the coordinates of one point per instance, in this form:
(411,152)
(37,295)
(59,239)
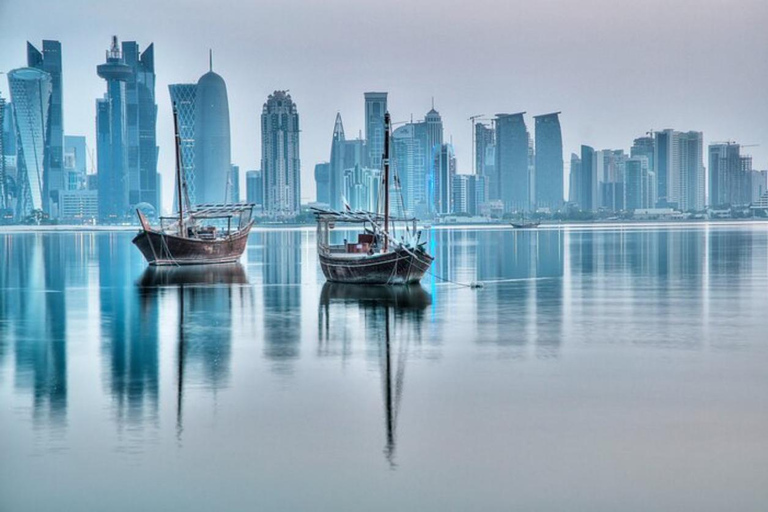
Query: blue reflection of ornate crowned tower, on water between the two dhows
(281,285)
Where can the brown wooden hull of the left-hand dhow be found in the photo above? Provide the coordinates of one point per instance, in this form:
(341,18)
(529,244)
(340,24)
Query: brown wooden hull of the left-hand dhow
(162,249)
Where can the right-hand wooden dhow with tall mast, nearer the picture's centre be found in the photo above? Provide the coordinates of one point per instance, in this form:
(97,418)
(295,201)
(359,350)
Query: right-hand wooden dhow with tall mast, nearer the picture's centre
(377,256)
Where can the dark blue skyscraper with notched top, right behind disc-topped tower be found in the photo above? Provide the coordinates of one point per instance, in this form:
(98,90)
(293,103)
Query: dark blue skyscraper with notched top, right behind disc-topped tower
(141,126)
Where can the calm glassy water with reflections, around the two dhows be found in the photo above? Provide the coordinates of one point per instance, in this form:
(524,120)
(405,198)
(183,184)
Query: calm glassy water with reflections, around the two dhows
(598,370)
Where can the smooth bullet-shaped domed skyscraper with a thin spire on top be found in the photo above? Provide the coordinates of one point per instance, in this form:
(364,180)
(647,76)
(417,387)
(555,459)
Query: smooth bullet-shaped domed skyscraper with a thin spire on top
(212,138)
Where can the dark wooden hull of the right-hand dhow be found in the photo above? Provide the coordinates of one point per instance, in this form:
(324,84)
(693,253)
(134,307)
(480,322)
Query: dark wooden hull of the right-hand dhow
(396,267)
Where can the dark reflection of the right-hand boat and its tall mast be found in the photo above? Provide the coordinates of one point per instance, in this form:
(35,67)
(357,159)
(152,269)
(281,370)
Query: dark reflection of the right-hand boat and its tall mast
(393,317)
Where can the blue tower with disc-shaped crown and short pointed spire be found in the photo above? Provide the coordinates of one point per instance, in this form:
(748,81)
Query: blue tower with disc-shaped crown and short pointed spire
(111,137)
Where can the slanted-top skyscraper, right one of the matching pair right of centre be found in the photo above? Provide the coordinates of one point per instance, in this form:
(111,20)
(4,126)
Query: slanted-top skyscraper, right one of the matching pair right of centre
(549,162)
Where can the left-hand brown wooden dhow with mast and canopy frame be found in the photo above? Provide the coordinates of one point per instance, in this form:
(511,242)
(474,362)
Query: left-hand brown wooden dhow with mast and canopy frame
(206,234)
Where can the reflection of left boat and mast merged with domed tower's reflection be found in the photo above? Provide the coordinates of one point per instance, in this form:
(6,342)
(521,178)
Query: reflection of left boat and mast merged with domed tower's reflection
(205,297)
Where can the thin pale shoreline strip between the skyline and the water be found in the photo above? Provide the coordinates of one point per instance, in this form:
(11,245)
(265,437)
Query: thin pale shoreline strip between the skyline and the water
(24,229)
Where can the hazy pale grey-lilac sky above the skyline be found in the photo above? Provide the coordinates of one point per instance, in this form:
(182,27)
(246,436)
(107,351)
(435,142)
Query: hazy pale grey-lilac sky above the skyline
(615,68)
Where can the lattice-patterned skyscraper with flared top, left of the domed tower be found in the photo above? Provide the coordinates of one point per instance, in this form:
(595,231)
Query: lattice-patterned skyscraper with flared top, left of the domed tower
(183,97)
